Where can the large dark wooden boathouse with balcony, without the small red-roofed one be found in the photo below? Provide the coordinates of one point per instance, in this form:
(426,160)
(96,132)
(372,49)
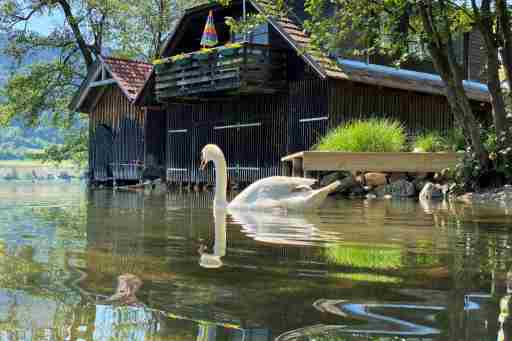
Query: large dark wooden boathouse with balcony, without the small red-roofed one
(273,94)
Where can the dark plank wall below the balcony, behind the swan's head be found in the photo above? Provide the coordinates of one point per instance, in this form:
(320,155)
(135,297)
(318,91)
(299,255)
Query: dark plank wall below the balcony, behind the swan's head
(250,130)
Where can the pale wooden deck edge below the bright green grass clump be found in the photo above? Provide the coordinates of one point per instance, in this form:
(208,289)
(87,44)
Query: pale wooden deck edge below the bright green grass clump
(299,164)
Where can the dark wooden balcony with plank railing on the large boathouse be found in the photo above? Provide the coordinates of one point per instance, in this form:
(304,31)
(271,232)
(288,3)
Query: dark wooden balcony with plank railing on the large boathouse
(223,71)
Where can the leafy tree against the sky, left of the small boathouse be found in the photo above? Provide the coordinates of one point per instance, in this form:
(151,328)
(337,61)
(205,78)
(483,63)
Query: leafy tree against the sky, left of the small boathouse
(43,89)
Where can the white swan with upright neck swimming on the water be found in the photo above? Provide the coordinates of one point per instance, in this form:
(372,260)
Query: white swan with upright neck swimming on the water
(273,192)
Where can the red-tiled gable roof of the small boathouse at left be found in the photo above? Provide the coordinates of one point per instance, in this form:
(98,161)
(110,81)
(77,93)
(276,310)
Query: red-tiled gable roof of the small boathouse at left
(129,75)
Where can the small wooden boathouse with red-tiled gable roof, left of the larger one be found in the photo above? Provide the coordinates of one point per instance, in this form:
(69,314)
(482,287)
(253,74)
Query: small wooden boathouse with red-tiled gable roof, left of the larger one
(116,125)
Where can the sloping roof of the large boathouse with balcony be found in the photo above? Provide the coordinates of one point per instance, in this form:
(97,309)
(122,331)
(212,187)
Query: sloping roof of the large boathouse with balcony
(290,29)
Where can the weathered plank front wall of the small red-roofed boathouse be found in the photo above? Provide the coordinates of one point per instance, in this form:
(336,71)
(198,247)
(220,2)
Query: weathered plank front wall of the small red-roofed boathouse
(116,138)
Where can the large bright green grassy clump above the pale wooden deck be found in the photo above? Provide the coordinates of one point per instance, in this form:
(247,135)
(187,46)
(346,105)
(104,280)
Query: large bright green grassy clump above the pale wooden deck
(374,135)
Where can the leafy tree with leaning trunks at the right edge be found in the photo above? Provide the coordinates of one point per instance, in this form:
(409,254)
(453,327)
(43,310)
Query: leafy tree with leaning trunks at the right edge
(389,26)
